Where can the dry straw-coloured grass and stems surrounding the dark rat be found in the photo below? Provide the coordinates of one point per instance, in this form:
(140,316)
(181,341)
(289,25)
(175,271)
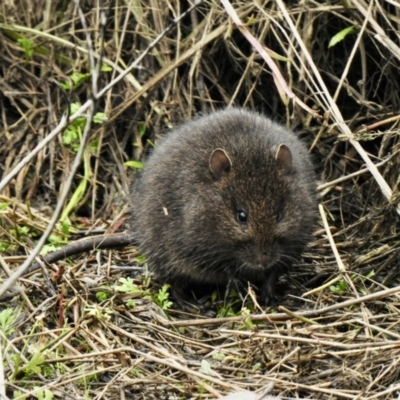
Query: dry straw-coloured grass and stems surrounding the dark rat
(325,340)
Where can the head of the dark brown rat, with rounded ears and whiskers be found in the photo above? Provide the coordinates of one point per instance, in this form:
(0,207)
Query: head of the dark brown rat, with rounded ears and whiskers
(252,211)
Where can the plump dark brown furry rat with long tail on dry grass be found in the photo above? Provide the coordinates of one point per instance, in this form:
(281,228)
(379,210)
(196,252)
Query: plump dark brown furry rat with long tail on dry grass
(227,196)
